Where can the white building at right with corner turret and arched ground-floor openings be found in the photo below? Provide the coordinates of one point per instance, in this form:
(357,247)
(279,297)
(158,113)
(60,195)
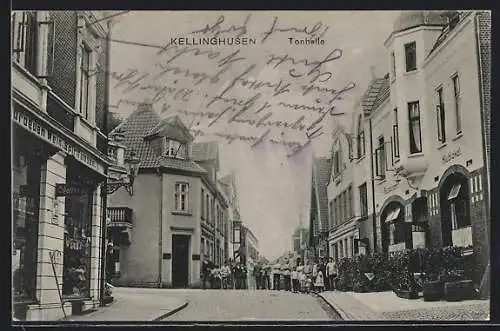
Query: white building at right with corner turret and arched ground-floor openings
(426,160)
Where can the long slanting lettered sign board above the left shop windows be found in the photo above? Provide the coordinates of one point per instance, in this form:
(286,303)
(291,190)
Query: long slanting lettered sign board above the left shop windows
(47,134)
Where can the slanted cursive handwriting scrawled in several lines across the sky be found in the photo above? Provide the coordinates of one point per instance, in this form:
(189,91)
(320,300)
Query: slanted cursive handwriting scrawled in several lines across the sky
(265,90)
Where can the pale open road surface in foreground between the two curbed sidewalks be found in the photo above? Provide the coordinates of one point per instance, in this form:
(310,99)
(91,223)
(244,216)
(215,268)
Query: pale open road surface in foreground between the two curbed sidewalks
(237,305)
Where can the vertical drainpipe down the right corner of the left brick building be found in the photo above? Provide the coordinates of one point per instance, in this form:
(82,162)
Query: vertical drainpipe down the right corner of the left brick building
(105,187)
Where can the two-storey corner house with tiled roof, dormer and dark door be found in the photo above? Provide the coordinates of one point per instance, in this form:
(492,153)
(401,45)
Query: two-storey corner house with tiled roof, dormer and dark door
(175,217)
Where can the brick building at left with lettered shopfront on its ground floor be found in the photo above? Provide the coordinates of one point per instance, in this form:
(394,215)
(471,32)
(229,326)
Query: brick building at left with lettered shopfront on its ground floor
(59,160)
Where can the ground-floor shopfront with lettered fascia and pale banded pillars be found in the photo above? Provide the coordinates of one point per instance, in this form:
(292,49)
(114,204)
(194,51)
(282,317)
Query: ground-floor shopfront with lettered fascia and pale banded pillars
(57,217)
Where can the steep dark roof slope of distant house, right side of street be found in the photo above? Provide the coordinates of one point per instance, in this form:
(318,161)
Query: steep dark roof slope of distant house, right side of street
(321,174)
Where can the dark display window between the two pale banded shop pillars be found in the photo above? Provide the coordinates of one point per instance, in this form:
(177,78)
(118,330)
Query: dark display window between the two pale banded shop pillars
(77,242)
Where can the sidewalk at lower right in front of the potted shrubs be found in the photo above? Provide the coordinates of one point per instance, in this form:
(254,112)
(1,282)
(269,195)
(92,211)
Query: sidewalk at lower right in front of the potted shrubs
(388,306)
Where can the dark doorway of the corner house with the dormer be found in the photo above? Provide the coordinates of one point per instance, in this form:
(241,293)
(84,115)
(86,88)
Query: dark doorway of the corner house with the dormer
(180,261)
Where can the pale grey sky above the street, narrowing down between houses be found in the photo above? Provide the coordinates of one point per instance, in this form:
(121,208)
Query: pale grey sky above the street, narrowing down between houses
(218,89)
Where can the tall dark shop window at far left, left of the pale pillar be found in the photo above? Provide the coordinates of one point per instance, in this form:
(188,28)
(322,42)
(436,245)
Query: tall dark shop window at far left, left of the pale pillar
(26,172)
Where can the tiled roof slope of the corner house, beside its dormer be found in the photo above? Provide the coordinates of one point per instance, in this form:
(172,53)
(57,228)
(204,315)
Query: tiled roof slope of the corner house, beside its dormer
(135,128)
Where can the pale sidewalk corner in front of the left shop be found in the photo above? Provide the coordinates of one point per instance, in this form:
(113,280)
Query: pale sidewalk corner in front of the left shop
(129,305)
